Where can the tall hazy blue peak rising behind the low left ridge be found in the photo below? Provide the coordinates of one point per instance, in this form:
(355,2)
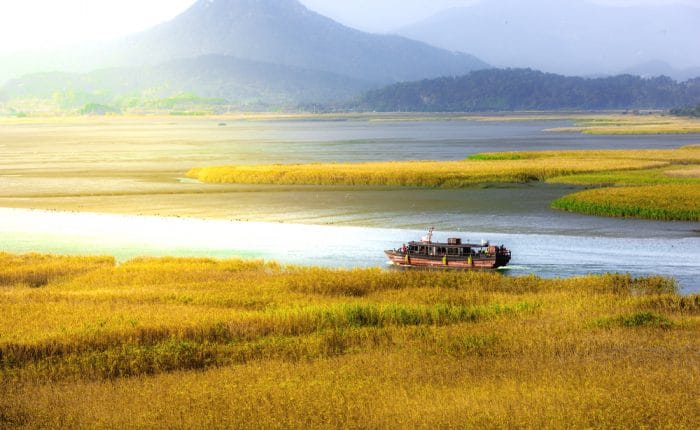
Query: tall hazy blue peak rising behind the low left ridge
(271,31)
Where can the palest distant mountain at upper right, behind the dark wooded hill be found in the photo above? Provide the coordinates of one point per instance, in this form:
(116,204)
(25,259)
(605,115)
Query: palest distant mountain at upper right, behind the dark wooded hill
(573,37)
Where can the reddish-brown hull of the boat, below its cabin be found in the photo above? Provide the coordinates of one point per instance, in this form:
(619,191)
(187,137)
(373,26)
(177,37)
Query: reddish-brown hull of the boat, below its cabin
(464,263)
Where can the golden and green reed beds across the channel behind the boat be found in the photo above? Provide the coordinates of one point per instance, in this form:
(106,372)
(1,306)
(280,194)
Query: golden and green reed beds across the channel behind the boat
(669,177)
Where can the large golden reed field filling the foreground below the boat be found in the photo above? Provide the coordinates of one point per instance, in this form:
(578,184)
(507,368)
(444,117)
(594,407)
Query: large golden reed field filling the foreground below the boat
(192,343)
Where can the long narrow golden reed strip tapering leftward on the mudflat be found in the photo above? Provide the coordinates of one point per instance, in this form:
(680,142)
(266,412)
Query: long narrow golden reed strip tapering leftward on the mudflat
(477,169)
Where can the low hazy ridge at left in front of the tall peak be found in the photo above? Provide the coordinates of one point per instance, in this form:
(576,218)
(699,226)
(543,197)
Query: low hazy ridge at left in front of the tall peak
(212,78)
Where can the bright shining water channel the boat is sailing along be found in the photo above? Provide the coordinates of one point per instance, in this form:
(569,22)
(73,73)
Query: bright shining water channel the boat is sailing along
(547,255)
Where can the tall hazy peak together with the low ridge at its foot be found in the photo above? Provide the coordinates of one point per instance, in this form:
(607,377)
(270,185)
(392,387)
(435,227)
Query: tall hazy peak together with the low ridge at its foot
(256,42)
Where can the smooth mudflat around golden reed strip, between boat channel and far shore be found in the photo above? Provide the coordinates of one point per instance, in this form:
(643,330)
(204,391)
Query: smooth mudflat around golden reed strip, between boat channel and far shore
(137,166)
